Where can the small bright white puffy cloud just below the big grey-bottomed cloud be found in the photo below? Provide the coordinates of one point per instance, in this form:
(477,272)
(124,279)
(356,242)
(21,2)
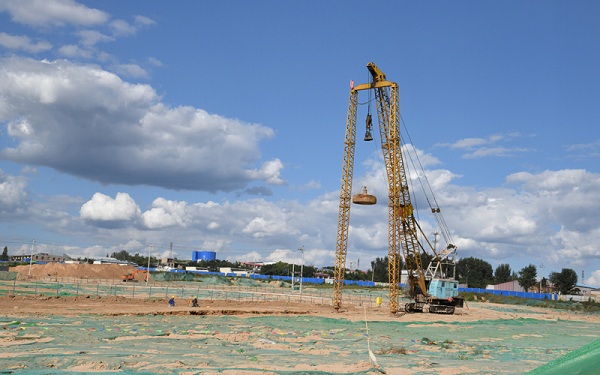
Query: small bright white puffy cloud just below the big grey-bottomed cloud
(104,208)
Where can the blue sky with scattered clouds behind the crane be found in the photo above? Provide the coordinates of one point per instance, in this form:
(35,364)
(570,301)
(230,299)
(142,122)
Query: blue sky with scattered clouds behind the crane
(170,127)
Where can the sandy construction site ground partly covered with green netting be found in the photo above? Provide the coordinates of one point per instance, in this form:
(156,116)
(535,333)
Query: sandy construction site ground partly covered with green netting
(49,334)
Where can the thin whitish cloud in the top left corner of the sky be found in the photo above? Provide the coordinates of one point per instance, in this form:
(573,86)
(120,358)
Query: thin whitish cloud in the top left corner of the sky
(43,13)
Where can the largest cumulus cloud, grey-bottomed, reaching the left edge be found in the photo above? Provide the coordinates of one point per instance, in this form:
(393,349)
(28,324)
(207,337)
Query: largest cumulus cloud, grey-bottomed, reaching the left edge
(88,122)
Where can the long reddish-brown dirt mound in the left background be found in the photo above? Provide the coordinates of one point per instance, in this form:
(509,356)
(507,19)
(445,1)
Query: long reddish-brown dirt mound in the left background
(80,271)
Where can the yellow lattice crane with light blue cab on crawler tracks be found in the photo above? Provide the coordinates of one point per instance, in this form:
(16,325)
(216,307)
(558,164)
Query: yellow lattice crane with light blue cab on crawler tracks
(433,290)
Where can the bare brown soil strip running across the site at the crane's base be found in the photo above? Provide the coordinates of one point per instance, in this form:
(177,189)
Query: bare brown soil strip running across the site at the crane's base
(21,306)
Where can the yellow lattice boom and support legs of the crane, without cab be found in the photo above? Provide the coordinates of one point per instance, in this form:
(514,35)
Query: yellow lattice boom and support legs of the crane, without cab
(402,225)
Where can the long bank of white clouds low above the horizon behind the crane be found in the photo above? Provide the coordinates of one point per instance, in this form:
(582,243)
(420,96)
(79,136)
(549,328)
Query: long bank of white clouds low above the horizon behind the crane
(509,225)
